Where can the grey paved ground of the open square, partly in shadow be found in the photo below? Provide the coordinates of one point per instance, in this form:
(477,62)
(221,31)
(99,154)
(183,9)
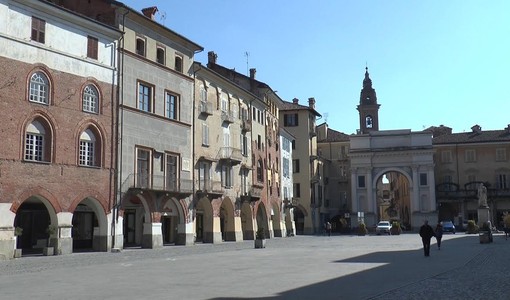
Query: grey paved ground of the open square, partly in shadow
(301,267)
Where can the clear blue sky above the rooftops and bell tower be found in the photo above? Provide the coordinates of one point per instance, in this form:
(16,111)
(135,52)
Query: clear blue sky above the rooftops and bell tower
(431,62)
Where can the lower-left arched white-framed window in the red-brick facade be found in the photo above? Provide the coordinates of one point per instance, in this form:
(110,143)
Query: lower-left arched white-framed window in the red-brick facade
(37,142)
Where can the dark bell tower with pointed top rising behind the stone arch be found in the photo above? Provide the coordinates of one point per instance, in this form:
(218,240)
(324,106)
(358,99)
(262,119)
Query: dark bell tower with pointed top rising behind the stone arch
(368,107)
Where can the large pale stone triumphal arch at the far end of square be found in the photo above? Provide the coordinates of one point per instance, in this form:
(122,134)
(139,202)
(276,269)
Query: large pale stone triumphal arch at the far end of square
(411,191)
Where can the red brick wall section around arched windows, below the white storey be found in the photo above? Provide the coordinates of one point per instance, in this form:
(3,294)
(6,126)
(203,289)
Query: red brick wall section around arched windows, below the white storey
(62,181)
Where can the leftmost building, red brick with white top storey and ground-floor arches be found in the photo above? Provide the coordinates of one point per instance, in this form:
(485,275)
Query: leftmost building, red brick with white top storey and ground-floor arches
(57,153)
